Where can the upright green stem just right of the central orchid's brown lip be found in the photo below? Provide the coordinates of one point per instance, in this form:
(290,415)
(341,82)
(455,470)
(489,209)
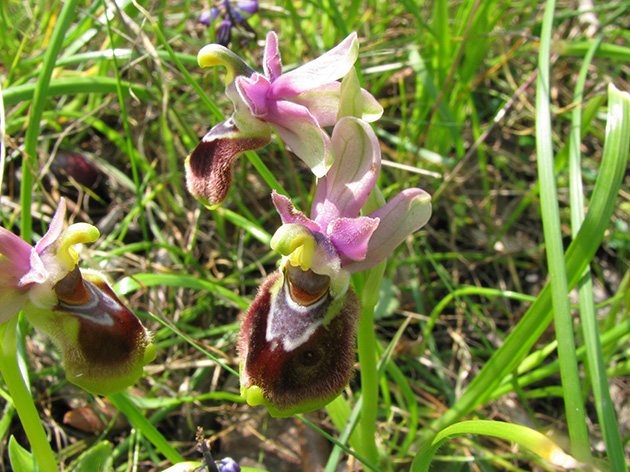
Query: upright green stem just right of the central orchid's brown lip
(368,293)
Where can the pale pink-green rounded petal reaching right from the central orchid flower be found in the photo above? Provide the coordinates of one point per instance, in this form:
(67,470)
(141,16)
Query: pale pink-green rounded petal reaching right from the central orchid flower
(405,213)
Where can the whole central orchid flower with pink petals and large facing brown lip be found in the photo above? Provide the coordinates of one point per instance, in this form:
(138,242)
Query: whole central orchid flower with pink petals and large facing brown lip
(297,338)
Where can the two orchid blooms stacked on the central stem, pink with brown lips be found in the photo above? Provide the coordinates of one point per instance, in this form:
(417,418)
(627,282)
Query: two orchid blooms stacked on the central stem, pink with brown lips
(297,338)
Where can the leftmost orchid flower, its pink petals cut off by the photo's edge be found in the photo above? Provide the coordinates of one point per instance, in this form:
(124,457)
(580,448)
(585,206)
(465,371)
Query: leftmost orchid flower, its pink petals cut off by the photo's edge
(103,345)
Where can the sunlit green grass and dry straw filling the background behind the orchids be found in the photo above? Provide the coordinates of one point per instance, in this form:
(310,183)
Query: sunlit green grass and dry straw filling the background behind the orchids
(463,330)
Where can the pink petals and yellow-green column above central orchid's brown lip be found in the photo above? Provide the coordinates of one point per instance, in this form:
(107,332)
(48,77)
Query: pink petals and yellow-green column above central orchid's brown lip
(337,241)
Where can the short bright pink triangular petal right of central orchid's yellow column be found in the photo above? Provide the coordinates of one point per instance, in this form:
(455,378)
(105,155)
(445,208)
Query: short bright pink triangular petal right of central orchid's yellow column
(350,236)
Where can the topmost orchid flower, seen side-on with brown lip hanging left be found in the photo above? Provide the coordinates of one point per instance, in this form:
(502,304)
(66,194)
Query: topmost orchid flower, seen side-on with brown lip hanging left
(297,105)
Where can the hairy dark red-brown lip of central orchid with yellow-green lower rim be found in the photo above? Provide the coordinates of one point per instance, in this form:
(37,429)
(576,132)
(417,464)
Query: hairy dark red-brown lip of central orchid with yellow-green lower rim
(307,376)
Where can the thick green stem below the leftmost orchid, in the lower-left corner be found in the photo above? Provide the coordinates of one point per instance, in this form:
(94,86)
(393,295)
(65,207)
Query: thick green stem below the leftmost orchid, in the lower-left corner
(22,400)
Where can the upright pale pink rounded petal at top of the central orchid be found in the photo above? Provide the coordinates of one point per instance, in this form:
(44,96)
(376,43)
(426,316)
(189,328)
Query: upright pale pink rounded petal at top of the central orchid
(353,175)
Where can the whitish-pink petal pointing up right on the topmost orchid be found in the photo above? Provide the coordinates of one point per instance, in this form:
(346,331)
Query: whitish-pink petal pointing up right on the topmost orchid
(328,67)
